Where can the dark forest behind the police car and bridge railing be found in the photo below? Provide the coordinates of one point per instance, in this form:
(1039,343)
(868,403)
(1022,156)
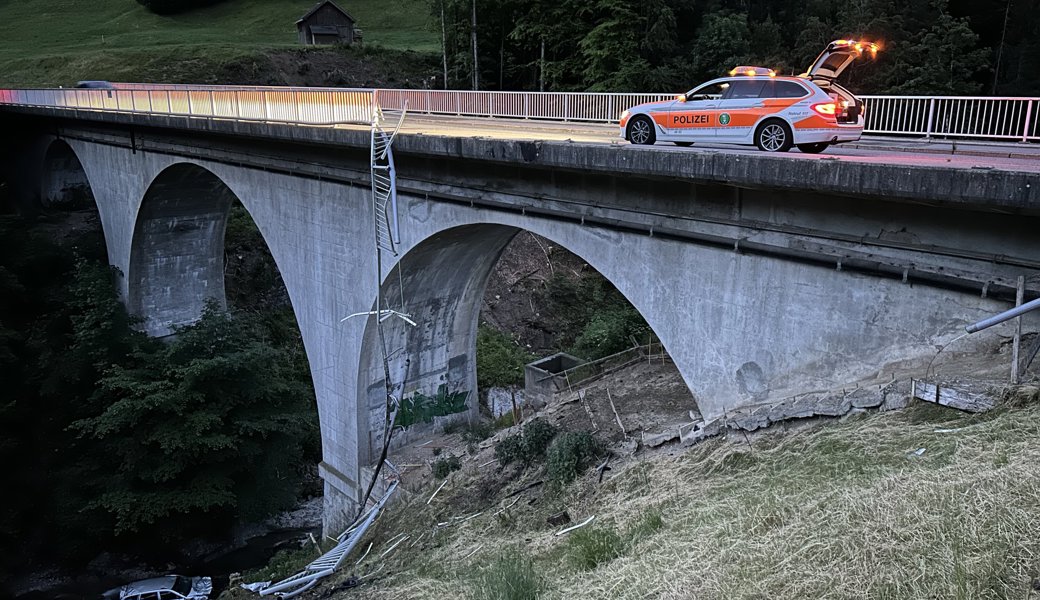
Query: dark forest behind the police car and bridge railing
(933,47)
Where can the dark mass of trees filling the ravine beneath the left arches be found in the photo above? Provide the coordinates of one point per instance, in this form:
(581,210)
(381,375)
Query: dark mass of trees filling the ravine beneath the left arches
(119,442)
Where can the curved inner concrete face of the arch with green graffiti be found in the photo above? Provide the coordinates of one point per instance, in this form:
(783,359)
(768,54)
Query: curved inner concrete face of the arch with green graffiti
(440,282)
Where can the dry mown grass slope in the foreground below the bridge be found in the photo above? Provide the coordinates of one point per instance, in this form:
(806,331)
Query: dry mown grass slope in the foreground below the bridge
(834,511)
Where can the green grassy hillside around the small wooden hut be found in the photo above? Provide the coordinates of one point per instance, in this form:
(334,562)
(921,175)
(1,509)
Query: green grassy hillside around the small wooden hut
(60,42)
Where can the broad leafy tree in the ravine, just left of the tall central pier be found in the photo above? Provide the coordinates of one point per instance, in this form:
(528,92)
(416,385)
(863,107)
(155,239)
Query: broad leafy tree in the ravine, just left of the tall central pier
(216,423)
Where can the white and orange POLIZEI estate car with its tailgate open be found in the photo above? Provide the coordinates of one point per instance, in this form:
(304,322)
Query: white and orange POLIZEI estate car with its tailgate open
(753,106)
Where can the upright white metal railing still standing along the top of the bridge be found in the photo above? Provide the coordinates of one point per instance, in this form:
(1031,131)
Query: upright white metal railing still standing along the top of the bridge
(965,118)
